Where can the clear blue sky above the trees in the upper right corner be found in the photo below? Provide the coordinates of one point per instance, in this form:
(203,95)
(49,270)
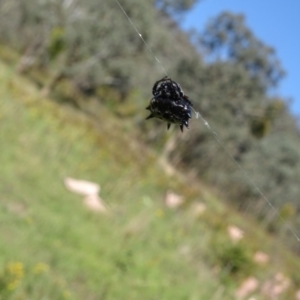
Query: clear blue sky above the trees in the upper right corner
(275,22)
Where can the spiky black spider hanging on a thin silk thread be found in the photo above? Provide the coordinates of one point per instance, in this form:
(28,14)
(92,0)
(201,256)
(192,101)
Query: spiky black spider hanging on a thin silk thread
(169,103)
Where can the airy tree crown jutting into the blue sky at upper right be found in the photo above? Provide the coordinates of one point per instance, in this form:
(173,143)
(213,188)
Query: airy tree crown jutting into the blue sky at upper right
(228,38)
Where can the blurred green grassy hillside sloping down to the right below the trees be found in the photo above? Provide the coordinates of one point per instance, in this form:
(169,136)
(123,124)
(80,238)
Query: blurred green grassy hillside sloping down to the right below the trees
(53,247)
